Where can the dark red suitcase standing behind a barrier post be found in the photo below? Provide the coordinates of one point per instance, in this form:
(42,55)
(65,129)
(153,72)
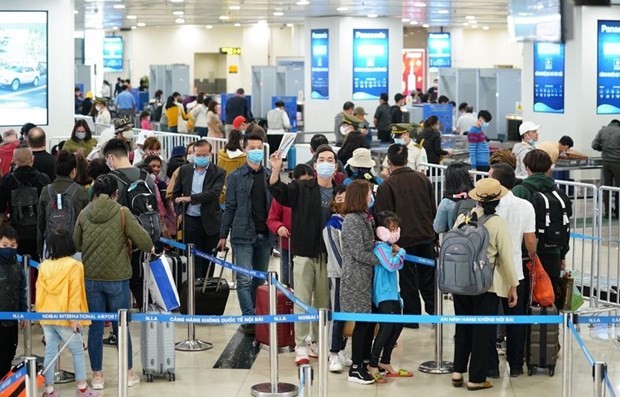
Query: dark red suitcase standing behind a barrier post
(286,331)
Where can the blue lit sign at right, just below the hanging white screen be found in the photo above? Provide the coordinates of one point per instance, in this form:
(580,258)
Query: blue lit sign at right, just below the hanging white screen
(549,77)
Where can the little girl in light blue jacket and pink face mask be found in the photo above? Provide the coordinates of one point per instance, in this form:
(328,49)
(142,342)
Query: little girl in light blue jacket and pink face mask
(385,295)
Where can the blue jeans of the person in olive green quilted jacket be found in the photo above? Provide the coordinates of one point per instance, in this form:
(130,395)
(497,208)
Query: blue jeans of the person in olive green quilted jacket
(105,297)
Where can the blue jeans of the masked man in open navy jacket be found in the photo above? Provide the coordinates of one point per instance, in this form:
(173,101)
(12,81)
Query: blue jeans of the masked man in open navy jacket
(251,256)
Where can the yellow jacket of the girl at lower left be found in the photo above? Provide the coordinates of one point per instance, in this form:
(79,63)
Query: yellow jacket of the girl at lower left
(60,288)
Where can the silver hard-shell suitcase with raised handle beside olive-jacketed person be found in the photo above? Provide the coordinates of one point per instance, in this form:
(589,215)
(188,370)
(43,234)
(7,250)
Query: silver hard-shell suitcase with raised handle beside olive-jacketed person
(157,345)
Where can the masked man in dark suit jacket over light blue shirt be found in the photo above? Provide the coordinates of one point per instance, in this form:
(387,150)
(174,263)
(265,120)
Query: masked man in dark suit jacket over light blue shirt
(198,187)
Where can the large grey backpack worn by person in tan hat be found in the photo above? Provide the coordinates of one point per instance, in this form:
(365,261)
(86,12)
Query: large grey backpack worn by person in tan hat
(464,267)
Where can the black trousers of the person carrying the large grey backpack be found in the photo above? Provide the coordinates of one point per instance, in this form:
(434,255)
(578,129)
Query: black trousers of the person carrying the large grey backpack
(472,340)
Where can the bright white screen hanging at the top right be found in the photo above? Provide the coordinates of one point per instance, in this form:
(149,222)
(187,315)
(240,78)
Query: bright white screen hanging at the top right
(535,20)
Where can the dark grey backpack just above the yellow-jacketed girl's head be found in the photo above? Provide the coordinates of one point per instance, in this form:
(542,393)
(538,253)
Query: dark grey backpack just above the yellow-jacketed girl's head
(60,212)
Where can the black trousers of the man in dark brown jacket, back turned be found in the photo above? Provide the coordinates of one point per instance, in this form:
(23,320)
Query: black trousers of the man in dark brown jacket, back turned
(418,279)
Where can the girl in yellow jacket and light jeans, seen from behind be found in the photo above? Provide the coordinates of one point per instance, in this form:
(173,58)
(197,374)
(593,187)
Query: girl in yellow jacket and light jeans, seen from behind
(60,288)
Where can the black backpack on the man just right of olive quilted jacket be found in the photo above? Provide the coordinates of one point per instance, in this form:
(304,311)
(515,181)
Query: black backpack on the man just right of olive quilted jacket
(141,201)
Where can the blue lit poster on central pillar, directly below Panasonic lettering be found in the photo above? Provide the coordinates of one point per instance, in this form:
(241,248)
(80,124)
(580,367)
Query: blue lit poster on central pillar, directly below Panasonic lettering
(370,63)
